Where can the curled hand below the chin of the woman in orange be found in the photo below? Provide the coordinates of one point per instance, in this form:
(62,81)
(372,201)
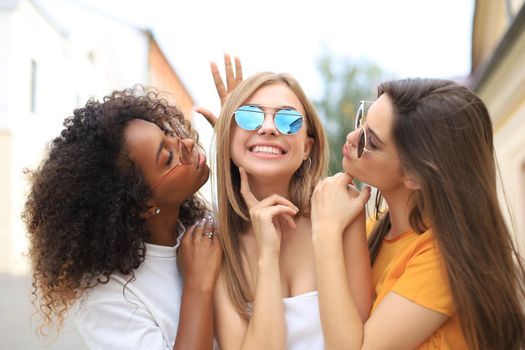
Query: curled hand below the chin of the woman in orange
(336,203)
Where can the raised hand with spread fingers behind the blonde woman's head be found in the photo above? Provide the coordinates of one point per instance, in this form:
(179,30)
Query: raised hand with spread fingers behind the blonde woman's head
(233,79)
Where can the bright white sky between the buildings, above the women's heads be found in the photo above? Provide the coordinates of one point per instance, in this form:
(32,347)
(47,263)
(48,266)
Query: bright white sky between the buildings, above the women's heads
(405,37)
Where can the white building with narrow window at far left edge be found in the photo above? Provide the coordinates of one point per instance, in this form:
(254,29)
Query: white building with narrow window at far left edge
(27,113)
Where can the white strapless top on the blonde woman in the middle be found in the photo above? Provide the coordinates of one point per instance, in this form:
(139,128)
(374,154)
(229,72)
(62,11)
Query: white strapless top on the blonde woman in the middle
(303,322)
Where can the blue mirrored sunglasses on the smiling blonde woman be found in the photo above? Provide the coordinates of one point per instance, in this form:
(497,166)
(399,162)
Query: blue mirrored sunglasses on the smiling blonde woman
(287,121)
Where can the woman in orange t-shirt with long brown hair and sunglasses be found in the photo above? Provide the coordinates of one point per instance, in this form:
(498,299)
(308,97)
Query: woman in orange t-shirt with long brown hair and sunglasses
(446,273)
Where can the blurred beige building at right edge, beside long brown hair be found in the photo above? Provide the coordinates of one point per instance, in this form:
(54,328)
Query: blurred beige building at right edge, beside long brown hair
(498,76)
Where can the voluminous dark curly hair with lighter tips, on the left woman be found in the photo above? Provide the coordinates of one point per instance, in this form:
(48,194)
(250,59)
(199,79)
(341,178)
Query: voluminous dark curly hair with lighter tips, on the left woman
(83,210)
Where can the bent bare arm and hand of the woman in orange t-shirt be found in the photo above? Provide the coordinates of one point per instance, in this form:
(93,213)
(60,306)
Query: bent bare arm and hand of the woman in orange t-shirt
(397,323)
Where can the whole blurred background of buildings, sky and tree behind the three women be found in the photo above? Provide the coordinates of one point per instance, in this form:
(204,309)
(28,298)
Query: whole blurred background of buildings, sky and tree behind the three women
(56,54)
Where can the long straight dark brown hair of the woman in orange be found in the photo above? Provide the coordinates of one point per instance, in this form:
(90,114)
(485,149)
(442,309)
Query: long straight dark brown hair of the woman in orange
(443,135)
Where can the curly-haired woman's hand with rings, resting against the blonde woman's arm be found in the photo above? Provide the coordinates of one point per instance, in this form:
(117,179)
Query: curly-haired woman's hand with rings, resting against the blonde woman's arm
(200,255)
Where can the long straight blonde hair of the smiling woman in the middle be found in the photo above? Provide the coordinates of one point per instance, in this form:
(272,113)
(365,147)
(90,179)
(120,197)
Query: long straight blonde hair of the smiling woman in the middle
(232,214)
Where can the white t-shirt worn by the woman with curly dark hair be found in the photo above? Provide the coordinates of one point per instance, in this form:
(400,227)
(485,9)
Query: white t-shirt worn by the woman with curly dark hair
(138,314)
